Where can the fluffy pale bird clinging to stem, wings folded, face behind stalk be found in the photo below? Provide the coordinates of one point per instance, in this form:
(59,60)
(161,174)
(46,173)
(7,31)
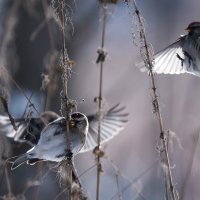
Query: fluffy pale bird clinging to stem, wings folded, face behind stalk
(52,144)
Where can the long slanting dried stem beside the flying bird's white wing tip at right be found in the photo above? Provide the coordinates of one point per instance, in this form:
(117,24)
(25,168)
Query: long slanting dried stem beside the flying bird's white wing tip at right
(156,102)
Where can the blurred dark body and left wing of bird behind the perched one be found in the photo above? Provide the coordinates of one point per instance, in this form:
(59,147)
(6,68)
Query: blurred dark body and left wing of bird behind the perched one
(28,130)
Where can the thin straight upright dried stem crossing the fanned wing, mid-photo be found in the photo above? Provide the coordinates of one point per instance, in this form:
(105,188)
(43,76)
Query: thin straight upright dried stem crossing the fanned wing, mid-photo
(98,158)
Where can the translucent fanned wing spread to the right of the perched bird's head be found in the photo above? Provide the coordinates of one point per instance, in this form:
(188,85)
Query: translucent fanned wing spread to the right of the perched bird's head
(112,123)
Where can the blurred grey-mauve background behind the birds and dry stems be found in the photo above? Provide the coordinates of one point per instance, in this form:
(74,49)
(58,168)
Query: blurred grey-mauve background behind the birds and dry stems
(29,47)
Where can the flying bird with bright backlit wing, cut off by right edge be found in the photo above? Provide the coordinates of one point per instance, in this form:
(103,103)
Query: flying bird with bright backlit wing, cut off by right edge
(183,56)
